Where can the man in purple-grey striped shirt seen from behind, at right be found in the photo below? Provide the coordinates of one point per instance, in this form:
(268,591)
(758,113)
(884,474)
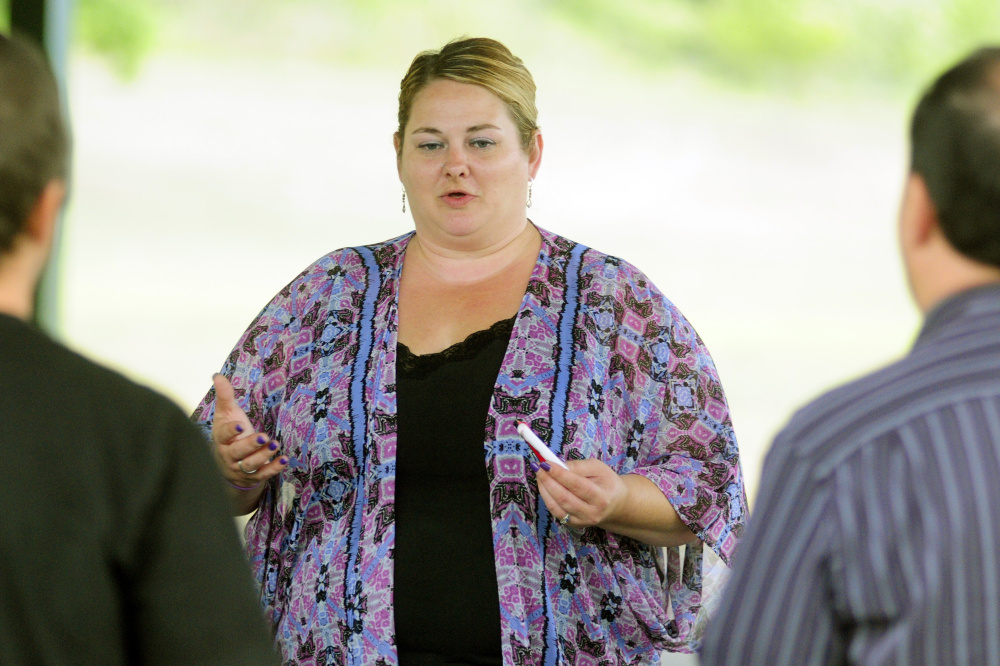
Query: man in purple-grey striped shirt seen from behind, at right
(875,537)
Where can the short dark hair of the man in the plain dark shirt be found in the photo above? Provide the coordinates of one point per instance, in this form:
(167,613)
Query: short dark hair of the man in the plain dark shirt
(34,145)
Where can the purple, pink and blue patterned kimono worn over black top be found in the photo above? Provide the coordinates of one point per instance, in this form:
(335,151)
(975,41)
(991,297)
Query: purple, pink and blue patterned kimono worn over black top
(599,363)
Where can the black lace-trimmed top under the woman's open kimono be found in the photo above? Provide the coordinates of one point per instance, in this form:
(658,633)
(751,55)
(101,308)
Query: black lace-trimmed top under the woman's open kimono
(446,597)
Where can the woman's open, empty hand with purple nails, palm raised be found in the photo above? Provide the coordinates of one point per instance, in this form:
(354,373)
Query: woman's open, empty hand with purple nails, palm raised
(247,458)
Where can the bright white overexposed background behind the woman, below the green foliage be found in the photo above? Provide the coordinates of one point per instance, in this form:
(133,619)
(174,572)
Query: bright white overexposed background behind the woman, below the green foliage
(204,185)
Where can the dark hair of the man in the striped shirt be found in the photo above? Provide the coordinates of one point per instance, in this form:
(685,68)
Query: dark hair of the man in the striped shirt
(955,137)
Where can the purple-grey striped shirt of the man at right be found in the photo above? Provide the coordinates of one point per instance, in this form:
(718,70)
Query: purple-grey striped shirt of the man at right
(875,538)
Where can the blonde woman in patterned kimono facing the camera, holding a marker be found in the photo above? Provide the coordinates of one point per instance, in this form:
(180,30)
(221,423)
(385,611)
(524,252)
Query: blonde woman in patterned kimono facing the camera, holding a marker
(369,415)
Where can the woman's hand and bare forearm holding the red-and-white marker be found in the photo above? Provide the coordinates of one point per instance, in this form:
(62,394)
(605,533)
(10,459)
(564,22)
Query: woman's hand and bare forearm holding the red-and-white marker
(591,494)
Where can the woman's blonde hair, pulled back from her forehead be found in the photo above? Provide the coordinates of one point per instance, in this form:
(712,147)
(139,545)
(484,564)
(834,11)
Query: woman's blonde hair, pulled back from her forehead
(482,62)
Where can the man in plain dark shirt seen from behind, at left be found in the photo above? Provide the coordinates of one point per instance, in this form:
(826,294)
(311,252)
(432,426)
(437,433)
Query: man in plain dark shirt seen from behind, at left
(115,541)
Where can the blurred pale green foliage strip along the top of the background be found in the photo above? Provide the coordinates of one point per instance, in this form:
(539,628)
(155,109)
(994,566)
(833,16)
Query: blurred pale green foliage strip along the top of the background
(781,44)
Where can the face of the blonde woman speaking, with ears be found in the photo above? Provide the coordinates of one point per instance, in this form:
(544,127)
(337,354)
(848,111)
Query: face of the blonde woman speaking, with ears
(461,162)
